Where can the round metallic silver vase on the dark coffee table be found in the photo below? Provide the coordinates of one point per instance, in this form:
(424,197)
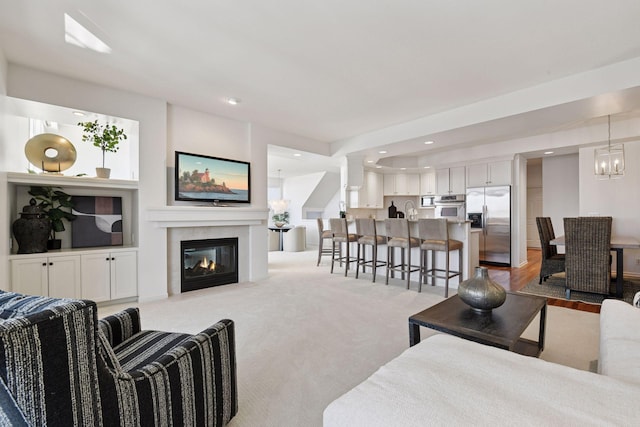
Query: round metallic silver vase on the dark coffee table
(481,292)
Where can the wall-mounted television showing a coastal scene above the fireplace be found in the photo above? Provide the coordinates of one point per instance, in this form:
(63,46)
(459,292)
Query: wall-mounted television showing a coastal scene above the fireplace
(212,179)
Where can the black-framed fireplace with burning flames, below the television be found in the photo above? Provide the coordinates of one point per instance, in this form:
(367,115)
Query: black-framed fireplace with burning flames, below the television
(209,262)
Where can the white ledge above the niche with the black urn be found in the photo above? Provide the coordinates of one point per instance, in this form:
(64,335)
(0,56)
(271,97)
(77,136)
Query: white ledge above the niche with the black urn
(70,181)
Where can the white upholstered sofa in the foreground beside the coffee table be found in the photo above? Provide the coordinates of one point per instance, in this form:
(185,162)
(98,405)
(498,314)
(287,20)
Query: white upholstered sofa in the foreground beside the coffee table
(446,380)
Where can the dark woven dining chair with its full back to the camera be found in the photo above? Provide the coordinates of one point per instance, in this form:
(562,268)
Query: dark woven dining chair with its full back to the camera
(588,250)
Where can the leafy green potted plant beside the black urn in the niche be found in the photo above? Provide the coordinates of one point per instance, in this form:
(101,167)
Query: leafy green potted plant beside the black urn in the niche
(57,205)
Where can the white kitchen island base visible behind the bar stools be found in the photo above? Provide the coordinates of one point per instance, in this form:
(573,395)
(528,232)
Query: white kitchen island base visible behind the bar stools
(458,230)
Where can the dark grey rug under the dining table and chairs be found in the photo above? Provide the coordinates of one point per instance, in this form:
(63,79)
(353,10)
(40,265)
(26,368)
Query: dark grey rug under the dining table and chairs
(554,287)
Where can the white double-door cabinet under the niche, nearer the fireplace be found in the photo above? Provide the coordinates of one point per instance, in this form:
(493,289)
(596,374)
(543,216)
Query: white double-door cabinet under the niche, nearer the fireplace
(109,275)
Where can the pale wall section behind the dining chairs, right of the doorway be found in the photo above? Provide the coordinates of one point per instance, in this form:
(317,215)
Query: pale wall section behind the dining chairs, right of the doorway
(560,189)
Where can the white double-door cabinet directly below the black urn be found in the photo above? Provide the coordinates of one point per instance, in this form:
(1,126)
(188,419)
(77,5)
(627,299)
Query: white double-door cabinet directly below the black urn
(53,276)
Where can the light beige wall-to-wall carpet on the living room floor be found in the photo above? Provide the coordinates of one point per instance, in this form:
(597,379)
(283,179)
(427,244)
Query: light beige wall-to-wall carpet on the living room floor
(305,336)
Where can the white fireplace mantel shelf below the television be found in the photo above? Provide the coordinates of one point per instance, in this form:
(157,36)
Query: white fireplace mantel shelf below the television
(206,216)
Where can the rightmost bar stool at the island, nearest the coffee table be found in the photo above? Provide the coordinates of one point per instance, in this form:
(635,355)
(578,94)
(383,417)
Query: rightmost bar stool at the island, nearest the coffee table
(435,238)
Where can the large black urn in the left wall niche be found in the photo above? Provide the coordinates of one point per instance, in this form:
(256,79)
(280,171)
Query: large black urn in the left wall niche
(32,229)
